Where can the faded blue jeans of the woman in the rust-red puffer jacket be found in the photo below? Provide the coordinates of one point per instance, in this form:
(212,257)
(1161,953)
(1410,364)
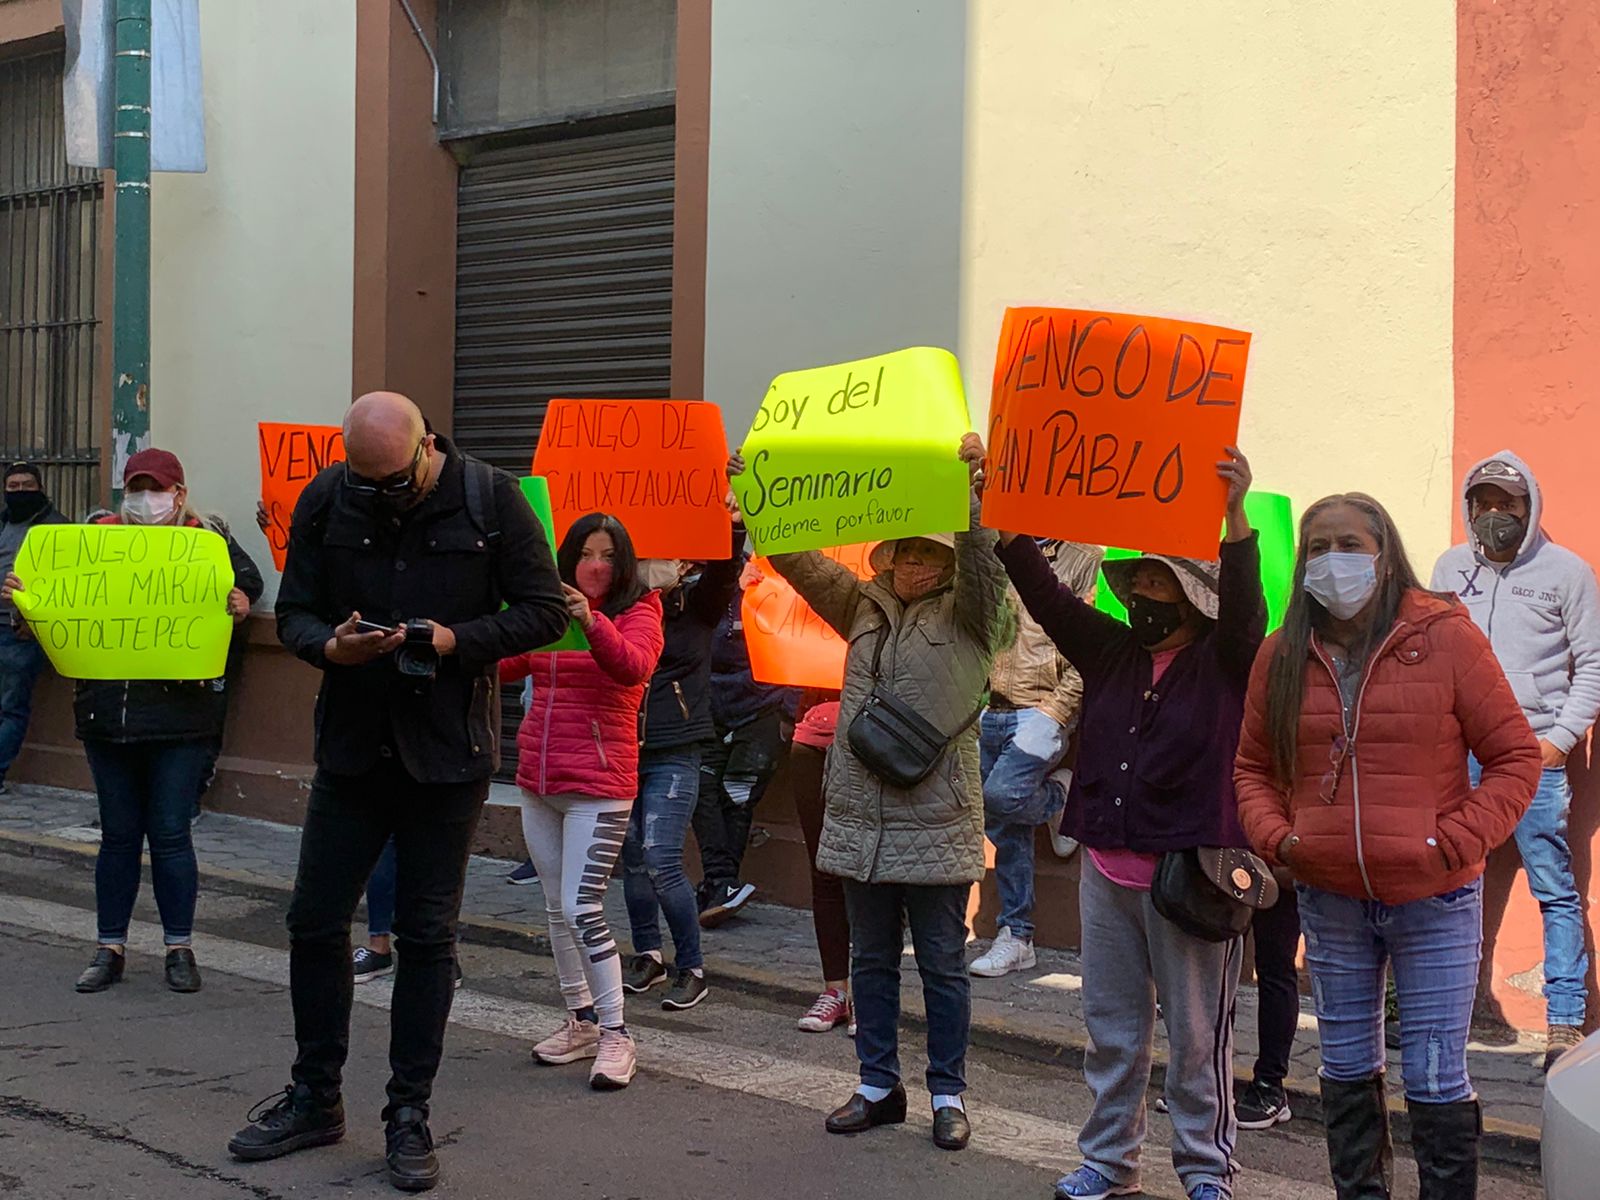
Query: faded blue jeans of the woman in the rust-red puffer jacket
(1434,945)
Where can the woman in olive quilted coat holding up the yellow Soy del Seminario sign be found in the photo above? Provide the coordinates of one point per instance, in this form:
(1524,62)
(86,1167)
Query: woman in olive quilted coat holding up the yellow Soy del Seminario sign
(932,617)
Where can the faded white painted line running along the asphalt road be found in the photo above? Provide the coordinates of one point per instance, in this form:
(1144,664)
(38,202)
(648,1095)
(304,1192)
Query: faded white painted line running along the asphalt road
(1006,1134)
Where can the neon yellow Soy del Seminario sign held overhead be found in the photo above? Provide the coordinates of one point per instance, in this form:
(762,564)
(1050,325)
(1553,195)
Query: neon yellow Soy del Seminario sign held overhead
(857,452)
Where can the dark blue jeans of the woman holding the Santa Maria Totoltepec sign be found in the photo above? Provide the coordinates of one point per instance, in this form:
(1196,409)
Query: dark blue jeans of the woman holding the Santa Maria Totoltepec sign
(146,794)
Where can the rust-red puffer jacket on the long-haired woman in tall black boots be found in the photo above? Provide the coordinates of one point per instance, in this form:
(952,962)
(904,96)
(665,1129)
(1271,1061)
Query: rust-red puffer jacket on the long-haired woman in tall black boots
(1404,822)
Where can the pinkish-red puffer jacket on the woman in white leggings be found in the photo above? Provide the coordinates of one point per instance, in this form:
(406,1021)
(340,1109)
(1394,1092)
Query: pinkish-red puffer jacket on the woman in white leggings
(582,732)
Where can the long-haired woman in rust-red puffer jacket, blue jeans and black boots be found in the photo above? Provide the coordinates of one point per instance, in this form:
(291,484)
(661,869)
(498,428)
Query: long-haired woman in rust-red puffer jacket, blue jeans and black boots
(1353,774)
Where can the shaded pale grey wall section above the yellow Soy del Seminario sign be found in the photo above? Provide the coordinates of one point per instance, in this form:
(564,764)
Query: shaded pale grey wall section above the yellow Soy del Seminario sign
(834,188)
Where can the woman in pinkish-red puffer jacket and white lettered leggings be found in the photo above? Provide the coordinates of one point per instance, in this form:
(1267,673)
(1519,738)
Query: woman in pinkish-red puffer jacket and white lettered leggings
(578,770)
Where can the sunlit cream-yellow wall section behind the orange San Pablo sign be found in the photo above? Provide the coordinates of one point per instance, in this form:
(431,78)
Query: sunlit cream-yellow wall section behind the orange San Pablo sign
(1276,167)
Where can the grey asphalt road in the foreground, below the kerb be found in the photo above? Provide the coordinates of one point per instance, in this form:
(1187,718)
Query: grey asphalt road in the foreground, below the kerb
(134,1094)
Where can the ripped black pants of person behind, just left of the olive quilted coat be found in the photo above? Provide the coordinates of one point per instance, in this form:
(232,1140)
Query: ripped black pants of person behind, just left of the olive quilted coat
(735,774)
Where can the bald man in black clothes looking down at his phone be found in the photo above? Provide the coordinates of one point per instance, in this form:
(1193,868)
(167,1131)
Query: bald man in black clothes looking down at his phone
(407,530)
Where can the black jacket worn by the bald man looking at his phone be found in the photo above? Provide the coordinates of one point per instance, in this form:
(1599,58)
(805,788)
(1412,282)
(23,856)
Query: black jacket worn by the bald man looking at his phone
(442,562)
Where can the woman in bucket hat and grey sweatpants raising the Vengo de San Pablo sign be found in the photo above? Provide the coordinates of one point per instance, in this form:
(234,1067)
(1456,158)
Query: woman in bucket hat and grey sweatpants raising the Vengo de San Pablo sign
(1162,705)
